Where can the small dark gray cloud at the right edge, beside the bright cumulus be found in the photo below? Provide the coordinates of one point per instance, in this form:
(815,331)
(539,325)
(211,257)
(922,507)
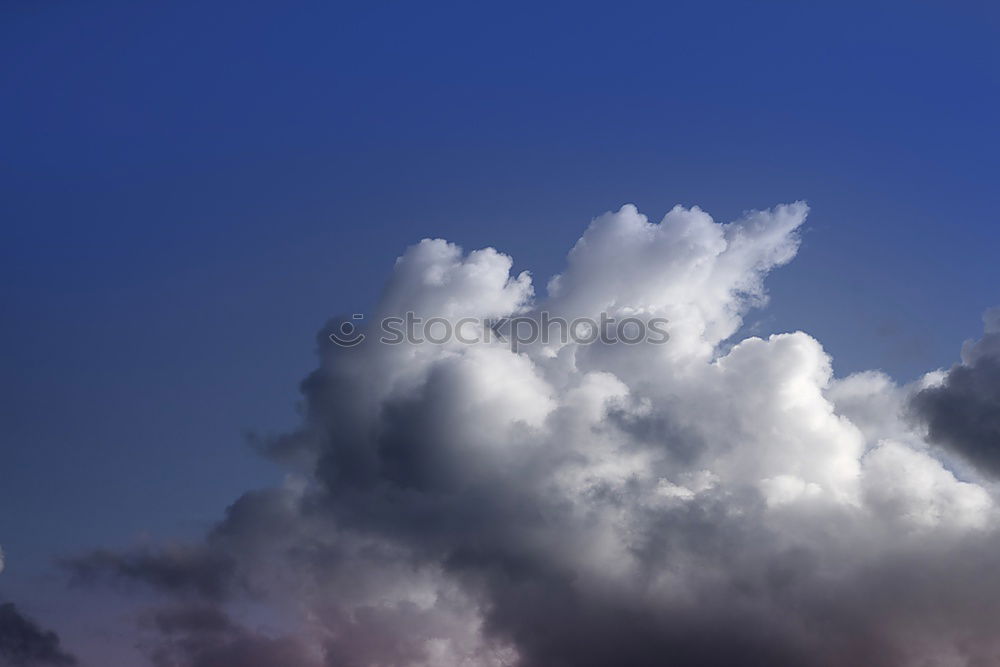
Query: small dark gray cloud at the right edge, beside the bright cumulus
(963,412)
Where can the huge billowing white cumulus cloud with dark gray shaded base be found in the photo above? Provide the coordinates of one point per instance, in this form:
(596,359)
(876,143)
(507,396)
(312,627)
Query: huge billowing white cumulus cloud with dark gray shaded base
(704,501)
